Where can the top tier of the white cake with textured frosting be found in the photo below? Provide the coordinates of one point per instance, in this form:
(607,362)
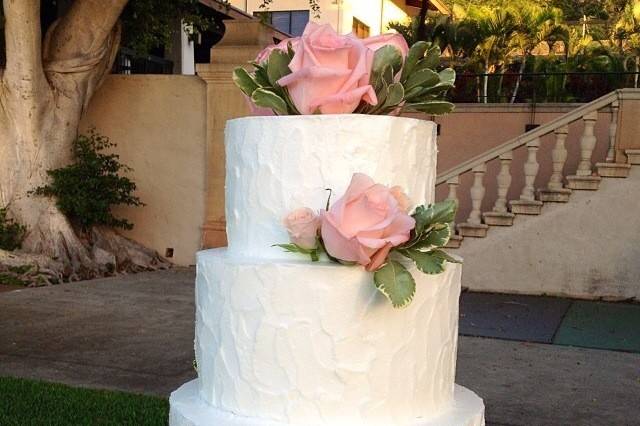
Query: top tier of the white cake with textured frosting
(275,165)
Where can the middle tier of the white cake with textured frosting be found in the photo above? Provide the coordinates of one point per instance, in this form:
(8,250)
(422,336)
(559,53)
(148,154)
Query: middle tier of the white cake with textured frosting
(316,344)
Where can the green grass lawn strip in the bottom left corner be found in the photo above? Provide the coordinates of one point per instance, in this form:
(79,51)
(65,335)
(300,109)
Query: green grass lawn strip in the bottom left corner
(28,402)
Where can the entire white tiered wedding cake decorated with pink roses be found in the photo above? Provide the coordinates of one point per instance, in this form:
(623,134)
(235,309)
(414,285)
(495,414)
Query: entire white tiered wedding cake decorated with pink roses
(336,327)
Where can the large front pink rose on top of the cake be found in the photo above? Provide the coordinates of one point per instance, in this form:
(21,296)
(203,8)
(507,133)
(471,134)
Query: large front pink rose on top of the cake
(329,72)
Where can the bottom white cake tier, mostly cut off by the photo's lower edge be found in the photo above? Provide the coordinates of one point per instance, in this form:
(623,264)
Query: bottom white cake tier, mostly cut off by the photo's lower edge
(187,409)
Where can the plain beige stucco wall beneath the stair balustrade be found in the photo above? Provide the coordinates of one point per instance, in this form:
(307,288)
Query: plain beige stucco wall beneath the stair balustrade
(586,248)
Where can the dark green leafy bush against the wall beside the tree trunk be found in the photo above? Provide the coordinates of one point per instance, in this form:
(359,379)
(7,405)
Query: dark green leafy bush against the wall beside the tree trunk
(86,190)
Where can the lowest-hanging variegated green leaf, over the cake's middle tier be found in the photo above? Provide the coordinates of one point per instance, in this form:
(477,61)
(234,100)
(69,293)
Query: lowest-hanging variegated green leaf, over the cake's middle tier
(394,281)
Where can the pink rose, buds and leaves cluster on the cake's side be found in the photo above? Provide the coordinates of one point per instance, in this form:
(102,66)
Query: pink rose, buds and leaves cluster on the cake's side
(370,225)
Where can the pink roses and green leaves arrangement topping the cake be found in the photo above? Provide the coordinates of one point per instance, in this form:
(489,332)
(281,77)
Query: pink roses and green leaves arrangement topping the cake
(322,72)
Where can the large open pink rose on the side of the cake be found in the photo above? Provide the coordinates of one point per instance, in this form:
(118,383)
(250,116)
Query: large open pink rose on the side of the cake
(365,223)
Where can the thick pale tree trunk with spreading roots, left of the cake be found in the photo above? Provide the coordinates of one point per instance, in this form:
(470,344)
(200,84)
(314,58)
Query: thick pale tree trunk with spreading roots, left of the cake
(44,90)
